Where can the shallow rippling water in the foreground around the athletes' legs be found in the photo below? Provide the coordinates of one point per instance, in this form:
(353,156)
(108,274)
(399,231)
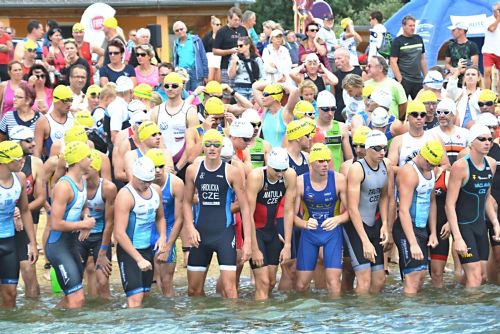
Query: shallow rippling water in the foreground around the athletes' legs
(448,310)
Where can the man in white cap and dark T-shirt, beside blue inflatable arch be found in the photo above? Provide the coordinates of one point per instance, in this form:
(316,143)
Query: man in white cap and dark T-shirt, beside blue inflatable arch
(460,50)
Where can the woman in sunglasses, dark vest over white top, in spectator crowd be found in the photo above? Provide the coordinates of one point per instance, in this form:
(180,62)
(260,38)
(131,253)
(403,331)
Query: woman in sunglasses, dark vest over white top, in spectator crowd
(245,67)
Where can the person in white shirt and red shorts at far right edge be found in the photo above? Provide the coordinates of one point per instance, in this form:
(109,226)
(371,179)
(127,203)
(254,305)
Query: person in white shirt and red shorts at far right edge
(491,47)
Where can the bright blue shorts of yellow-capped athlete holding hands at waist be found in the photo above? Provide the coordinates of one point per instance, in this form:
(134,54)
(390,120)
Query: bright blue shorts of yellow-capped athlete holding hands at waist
(311,241)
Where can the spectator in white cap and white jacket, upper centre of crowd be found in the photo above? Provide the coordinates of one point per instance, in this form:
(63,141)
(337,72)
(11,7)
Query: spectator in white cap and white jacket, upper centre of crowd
(276,58)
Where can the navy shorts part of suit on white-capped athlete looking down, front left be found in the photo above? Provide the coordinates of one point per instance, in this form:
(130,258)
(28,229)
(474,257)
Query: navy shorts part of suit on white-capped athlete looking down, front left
(134,280)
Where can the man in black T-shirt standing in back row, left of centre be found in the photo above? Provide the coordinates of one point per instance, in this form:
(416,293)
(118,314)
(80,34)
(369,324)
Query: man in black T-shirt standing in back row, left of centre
(226,40)
